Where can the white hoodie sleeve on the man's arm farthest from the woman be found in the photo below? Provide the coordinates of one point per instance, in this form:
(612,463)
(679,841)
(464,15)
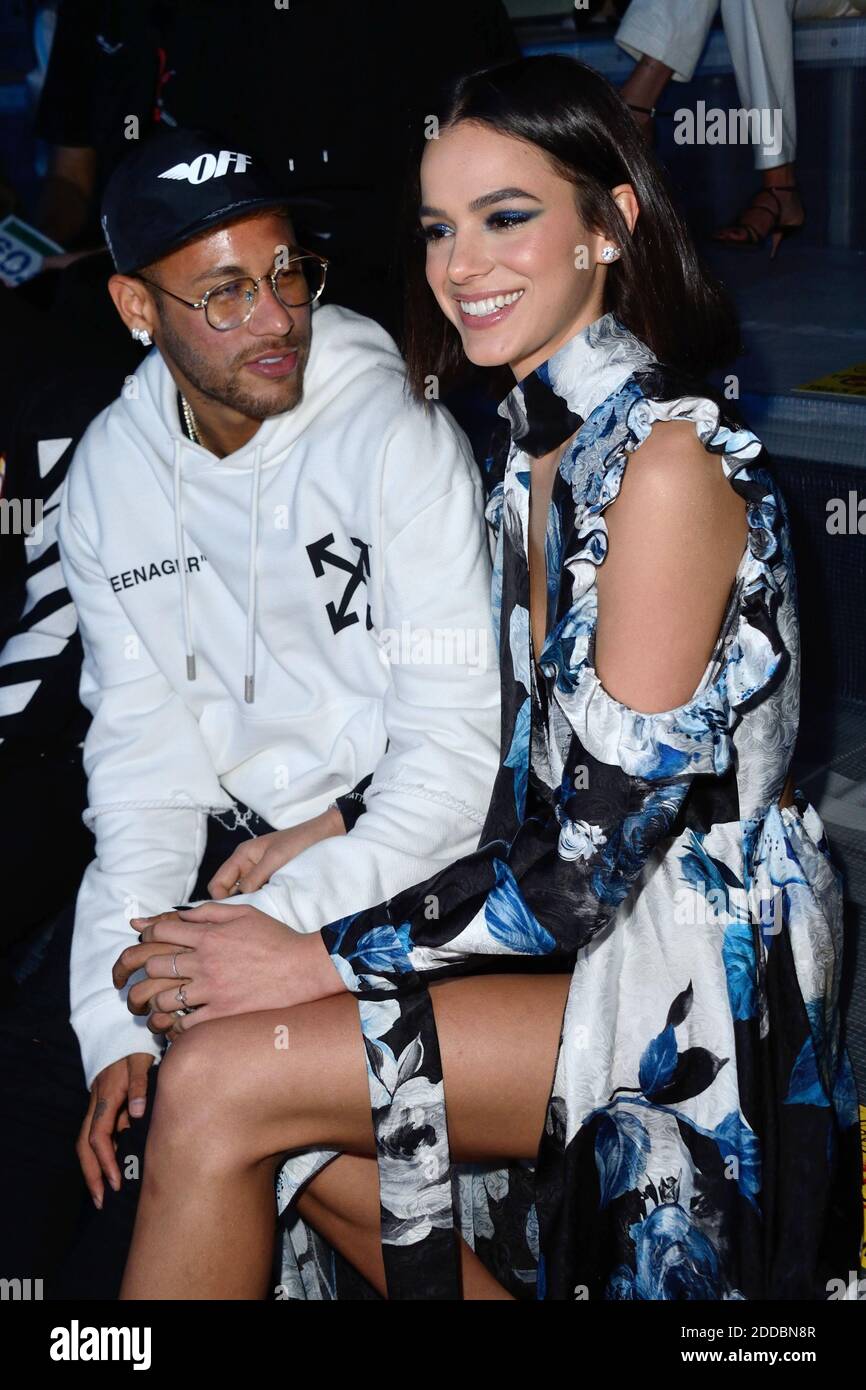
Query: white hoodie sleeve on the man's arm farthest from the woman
(148,846)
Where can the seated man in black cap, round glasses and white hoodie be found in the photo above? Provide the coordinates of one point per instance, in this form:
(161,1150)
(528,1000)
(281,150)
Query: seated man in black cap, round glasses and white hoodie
(245,532)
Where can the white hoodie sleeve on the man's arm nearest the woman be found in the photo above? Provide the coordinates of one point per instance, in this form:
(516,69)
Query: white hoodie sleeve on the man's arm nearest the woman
(429,797)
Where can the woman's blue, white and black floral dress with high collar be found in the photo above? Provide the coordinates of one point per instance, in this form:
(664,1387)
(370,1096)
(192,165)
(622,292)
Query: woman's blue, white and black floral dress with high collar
(701,1138)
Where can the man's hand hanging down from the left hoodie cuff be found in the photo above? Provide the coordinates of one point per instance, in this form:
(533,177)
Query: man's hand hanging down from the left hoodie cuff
(120,1090)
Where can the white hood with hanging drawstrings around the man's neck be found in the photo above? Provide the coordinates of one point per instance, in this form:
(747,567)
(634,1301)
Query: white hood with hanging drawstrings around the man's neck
(344,347)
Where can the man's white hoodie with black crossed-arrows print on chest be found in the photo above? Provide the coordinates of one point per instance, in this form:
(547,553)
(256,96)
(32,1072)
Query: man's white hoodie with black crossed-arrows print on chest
(348,532)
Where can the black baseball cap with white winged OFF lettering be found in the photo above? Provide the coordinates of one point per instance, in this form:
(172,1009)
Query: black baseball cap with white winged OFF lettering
(176,184)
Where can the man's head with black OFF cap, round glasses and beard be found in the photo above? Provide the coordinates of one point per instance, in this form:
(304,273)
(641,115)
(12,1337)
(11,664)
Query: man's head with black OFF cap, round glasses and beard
(169,195)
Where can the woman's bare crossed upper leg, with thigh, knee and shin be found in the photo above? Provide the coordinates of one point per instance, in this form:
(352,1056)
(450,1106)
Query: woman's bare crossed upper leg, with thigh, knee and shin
(237,1095)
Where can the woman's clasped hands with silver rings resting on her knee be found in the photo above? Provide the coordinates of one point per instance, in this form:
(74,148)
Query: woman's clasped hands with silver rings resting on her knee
(230,960)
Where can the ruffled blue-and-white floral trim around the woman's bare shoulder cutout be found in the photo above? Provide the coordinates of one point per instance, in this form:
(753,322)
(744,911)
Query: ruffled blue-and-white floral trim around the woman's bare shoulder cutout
(750,655)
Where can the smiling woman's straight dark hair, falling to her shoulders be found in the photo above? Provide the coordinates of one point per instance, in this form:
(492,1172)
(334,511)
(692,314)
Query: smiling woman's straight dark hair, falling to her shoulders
(658,288)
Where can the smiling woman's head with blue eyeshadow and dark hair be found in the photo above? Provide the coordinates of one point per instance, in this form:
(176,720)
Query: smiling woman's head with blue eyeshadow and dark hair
(550,186)
